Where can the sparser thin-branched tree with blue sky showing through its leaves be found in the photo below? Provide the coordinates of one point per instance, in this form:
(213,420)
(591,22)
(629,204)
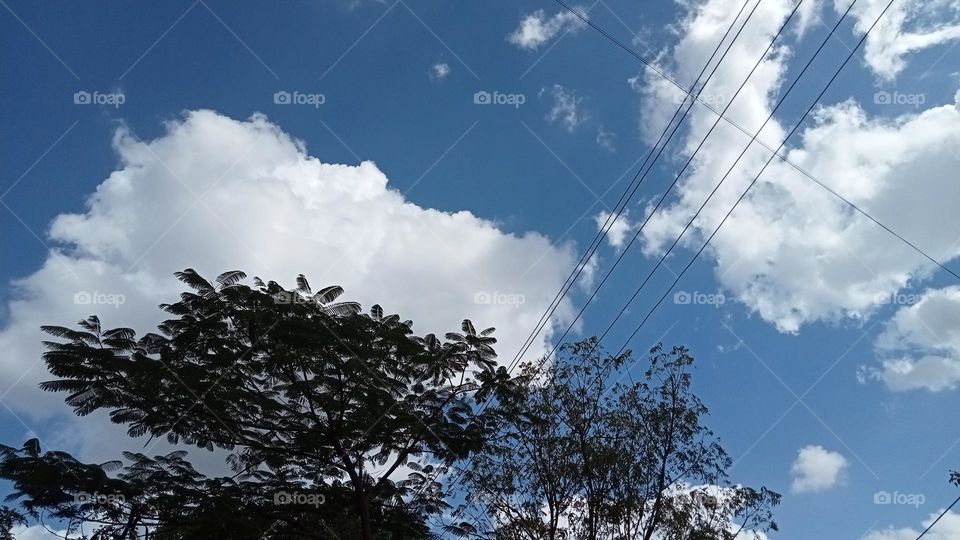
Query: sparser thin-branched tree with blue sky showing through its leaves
(583,457)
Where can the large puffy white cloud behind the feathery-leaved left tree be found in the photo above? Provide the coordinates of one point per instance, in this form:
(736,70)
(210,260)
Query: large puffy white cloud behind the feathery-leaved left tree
(215,194)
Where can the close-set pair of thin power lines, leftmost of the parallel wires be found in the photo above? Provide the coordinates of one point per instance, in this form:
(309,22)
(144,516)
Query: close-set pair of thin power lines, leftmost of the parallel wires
(634,184)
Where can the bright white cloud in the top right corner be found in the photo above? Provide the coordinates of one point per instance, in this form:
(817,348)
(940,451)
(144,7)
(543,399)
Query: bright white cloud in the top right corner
(908,26)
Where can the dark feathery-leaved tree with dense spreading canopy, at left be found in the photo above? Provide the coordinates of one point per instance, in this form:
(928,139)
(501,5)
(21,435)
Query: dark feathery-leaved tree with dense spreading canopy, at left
(333,421)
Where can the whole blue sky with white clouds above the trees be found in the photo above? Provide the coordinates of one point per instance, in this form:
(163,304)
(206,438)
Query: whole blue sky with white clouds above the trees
(799,354)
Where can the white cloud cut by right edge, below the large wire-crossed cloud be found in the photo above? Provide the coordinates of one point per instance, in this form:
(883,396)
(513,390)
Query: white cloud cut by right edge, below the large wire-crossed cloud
(920,347)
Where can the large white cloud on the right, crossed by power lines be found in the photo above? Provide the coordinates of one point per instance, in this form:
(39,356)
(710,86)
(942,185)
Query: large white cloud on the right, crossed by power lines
(791,252)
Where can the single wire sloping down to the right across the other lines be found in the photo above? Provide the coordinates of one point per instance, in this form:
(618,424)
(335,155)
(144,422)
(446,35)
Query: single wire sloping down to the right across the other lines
(743,130)
